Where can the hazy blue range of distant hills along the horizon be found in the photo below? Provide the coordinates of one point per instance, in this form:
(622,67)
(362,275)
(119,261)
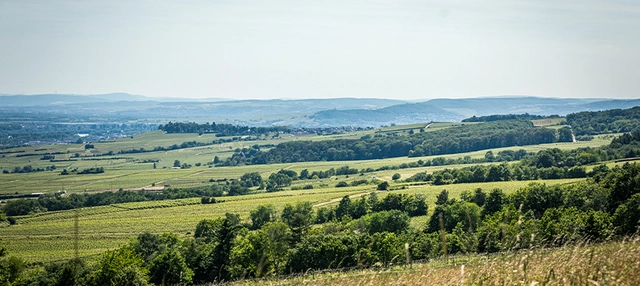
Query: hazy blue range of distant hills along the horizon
(295,112)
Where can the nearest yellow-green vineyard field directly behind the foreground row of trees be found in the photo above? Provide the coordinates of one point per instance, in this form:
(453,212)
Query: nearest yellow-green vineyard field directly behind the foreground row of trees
(50,236)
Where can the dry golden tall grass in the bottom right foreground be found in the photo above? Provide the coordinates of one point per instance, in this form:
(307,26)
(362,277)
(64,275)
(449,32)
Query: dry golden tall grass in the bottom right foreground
(613,263)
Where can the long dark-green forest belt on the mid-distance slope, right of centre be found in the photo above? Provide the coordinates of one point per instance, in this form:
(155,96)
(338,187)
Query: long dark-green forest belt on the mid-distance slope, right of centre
(458,139)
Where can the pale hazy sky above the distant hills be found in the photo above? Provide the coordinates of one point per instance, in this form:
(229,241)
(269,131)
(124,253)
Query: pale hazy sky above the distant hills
(315,49)
